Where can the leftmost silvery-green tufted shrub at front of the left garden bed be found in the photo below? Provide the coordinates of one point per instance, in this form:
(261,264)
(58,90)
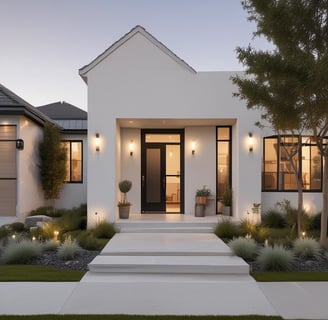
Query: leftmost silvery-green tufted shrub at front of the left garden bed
(17,252)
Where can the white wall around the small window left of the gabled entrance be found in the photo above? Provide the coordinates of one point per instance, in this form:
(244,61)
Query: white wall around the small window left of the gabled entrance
(75,194)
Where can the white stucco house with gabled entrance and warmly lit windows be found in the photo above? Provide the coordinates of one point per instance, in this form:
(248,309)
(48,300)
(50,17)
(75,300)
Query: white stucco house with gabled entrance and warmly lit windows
(168,128)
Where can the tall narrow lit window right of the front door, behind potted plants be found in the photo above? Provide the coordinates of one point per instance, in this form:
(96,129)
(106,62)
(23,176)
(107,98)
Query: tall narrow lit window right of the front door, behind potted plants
(223,160)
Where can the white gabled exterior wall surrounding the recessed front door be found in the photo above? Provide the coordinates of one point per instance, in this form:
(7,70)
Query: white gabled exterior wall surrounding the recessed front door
(140,81)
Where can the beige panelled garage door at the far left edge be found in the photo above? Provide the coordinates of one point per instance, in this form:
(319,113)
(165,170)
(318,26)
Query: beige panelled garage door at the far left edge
(8,172)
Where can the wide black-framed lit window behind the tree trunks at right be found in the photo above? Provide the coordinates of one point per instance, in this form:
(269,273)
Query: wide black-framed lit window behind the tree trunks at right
(278,173)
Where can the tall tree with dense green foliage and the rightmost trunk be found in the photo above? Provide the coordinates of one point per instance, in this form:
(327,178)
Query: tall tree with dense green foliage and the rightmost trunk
(290,83)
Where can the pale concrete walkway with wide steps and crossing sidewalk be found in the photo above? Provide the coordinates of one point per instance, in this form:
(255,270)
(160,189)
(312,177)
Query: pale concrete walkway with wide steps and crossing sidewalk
(182,278)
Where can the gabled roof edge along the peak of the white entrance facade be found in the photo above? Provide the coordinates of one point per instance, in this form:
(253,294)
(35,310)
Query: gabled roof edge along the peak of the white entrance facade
(138,29)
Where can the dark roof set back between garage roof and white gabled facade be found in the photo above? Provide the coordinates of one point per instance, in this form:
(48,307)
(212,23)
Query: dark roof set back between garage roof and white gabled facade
(70,118)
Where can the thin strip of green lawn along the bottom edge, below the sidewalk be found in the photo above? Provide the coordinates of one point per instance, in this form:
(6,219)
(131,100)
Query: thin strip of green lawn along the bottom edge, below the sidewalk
(127,317)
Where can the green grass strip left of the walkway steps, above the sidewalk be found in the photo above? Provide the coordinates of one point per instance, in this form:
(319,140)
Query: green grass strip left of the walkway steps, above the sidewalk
(37,273)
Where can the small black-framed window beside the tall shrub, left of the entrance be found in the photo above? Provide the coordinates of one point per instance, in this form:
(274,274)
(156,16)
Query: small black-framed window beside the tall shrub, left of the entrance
(74,161)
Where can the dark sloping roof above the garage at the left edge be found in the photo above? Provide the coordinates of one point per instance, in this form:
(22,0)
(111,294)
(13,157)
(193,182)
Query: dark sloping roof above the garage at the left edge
(11,104)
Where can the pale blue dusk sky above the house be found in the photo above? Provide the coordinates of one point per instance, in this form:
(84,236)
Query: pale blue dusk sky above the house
(45,42)
